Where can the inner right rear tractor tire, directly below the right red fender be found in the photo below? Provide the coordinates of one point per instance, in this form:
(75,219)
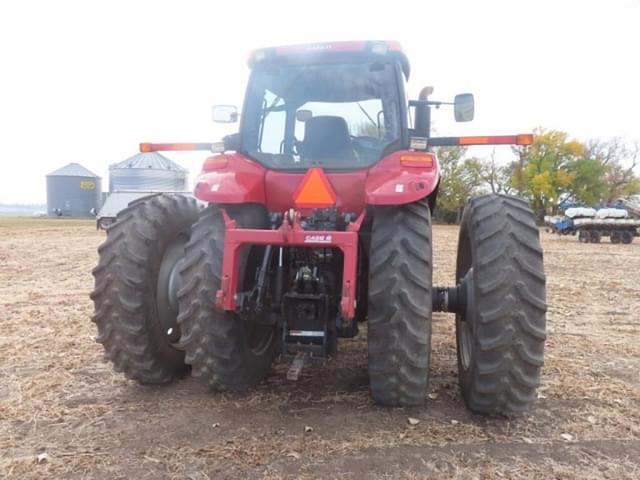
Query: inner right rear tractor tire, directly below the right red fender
(399,331)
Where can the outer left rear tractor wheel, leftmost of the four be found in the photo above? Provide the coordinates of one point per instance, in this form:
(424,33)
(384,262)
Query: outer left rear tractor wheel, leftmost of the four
(135,284)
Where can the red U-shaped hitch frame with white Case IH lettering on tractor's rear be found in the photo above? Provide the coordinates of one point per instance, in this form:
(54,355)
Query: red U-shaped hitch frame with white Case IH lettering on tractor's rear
(290,233)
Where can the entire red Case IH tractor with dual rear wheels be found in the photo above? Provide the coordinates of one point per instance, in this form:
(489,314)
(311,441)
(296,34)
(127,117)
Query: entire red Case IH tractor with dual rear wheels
(318,218)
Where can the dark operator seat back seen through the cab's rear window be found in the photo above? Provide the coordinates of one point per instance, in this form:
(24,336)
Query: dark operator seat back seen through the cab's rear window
(326,138)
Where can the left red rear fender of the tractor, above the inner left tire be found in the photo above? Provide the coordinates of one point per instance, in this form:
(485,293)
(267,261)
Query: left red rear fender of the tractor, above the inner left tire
(231,178)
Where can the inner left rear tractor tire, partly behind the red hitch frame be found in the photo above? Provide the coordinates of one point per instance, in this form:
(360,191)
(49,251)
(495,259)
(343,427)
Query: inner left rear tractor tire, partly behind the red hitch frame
(225,351)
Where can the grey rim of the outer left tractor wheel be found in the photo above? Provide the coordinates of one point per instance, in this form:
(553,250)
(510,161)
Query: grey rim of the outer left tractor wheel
(167,289)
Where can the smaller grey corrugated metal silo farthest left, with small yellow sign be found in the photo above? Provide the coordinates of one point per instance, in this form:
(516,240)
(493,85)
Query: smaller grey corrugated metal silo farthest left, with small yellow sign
(73,191)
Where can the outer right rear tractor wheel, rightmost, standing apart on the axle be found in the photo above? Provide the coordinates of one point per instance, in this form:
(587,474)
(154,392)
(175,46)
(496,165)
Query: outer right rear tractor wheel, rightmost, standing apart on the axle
(501,333)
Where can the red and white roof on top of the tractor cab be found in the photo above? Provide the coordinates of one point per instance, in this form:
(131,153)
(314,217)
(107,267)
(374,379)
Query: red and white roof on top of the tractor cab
(331,52)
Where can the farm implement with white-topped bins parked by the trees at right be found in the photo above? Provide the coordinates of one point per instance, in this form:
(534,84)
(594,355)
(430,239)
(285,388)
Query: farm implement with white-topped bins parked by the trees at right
(591,225)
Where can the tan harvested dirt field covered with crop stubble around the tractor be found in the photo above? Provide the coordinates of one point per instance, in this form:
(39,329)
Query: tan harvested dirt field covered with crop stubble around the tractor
(59,401)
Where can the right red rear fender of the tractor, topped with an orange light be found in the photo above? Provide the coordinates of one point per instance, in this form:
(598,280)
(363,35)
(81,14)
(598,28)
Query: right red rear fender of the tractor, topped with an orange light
(402,177)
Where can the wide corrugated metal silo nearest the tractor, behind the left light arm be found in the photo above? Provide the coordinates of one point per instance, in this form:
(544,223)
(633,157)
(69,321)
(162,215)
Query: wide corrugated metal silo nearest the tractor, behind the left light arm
(148,172)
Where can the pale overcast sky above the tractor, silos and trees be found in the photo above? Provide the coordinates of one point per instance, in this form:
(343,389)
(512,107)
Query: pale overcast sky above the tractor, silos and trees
(87,81)
